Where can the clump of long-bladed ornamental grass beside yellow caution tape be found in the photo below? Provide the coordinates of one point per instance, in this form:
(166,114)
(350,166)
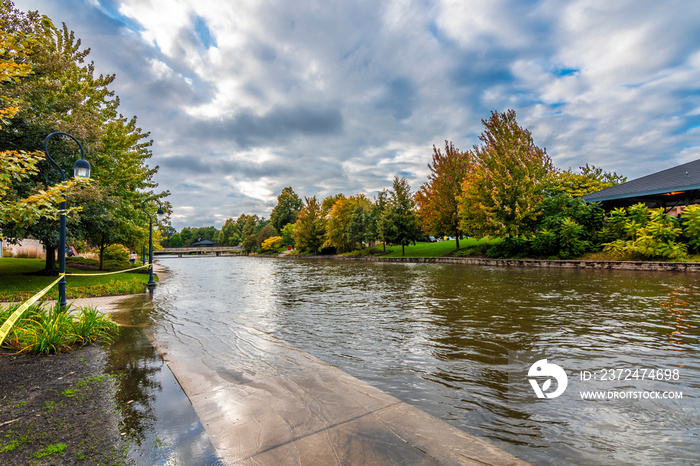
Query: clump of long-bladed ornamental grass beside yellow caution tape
(52,330)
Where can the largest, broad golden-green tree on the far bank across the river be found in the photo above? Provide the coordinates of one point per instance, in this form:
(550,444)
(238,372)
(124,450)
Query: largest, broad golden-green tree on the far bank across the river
(502,193)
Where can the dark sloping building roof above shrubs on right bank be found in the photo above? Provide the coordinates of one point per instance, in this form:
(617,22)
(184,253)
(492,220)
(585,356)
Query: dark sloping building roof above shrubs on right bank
(674,187)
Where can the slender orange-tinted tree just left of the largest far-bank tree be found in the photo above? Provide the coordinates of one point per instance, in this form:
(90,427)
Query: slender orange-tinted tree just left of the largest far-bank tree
(437,200)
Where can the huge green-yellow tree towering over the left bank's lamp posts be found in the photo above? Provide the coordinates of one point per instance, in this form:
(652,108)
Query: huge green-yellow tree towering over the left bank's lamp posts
(62,93)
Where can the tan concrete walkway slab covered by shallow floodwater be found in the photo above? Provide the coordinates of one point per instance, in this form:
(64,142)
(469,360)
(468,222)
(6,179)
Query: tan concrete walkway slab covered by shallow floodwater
(292,408)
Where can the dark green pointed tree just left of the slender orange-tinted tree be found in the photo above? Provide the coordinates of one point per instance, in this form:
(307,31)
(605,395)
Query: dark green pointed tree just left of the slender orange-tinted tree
(399,223)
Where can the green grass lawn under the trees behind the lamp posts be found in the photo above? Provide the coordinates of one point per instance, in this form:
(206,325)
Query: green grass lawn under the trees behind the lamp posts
(17,283)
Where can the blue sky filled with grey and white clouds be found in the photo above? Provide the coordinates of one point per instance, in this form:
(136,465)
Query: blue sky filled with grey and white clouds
(245,97)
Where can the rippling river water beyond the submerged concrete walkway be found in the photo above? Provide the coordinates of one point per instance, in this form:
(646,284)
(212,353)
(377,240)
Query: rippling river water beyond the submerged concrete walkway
(458,342)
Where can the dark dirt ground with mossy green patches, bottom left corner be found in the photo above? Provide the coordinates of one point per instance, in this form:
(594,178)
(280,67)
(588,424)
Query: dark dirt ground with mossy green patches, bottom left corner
(59,410)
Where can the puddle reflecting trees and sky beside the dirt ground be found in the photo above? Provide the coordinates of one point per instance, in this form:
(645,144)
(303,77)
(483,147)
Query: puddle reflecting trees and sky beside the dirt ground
(160,423)
